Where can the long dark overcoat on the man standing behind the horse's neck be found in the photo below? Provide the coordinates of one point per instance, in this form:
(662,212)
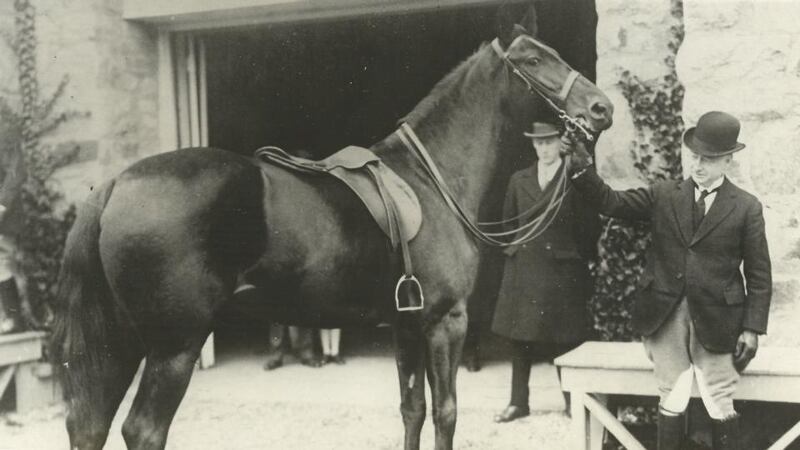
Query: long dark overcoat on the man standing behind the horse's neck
(546,283)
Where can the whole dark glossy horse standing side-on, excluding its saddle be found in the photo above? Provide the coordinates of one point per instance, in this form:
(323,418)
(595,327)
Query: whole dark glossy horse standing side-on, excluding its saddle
(156,251)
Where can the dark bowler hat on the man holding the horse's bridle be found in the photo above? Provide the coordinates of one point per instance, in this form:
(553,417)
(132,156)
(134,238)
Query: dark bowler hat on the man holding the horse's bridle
(715,135)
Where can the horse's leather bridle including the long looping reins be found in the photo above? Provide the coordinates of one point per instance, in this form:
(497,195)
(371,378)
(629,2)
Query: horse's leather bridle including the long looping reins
(533,229)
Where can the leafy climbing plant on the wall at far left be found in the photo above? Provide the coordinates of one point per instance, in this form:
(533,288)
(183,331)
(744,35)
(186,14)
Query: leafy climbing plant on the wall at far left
(43,219)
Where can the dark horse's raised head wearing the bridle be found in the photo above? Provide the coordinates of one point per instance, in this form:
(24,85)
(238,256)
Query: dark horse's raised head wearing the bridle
(576,99)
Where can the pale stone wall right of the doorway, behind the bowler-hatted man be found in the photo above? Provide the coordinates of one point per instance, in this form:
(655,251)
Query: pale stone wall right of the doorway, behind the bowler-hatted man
(737,56)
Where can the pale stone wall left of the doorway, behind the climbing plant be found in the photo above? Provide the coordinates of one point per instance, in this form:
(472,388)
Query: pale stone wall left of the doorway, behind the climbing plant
(112,68)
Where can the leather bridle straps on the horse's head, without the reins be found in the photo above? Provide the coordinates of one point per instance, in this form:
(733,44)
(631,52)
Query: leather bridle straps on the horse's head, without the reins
(571,124)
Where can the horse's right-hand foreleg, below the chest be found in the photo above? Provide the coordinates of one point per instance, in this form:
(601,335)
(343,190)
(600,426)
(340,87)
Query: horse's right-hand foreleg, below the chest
(445,341)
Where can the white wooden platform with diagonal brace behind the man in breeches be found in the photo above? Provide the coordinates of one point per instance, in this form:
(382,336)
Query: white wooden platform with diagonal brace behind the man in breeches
(596,370)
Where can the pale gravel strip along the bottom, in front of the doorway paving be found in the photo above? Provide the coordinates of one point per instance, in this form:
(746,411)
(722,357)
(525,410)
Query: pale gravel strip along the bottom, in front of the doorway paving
(234,425)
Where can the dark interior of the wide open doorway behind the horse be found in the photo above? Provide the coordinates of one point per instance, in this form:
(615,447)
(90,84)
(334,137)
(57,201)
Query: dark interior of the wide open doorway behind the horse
(315,87)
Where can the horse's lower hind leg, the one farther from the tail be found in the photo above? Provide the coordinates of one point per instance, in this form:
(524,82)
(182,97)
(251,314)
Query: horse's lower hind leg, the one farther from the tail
(164,381)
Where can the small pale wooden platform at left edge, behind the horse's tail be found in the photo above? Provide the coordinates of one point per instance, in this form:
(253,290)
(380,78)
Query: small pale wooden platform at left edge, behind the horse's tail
(20,362)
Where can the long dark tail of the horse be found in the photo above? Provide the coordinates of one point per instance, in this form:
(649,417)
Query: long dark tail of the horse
(80,342)
